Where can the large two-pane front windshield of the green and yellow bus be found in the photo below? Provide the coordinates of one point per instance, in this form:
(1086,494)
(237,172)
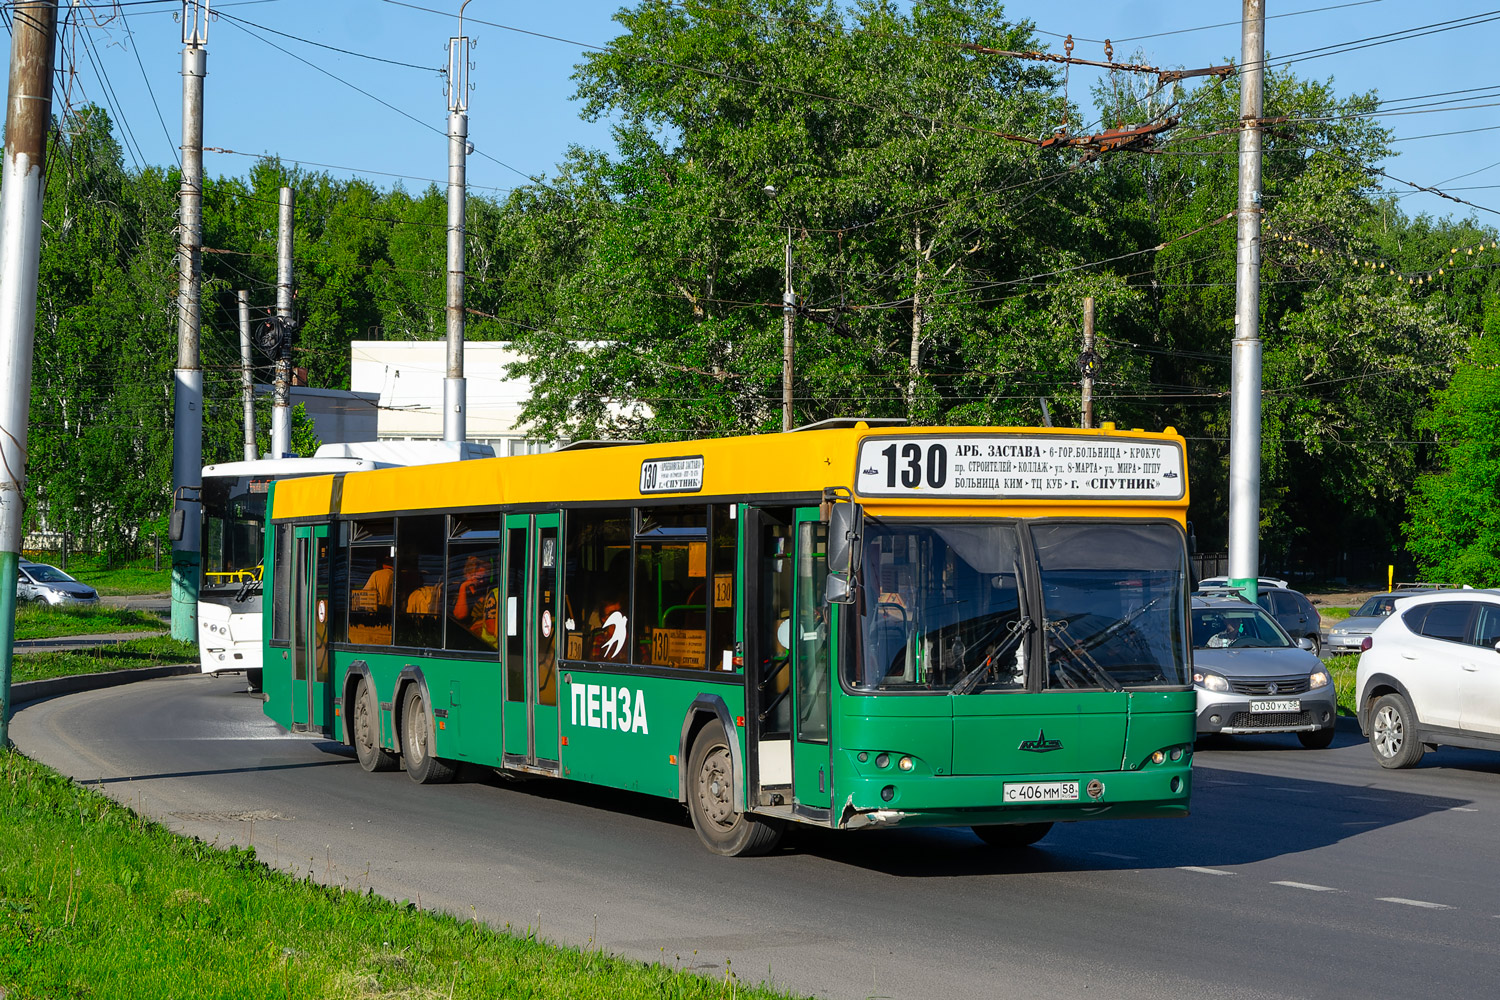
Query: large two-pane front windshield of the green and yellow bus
(953,606)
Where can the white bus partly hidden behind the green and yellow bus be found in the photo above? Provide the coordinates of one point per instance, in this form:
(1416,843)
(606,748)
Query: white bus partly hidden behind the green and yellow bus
(235,531)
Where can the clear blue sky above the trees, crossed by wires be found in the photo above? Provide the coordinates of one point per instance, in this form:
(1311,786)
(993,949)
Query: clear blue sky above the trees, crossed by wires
(278,83)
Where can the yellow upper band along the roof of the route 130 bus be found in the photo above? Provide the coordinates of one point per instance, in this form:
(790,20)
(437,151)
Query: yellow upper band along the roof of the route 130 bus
(763,467)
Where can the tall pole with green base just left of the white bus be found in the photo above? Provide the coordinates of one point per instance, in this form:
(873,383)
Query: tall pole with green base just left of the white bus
(188,403)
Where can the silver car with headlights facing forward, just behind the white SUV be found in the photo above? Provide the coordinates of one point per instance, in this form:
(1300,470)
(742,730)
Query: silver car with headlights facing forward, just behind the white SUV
(1253,678)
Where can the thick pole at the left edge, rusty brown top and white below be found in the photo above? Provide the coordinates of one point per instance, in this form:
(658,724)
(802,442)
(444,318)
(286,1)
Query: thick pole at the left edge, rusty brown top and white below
(29,113)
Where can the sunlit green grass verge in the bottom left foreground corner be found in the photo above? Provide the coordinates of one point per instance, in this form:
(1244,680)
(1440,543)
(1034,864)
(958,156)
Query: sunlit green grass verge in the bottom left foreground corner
(97,902)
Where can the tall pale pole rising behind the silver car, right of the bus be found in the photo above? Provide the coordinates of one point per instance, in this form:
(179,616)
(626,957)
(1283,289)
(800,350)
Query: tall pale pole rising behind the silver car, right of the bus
(1244,437)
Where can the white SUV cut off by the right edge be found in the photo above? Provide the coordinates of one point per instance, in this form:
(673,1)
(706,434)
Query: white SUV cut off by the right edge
(1430,675)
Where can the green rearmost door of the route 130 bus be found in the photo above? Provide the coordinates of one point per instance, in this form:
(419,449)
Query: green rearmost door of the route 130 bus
(311,707)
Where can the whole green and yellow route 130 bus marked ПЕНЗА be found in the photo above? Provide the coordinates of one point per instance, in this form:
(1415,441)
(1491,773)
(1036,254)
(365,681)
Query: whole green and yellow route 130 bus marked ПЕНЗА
(850,627)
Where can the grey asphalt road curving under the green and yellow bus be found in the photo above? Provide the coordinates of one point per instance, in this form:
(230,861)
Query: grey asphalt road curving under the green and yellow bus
(1300,873)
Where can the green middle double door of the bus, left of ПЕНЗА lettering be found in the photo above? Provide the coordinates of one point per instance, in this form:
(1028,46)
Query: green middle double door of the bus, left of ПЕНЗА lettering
(532,723)
